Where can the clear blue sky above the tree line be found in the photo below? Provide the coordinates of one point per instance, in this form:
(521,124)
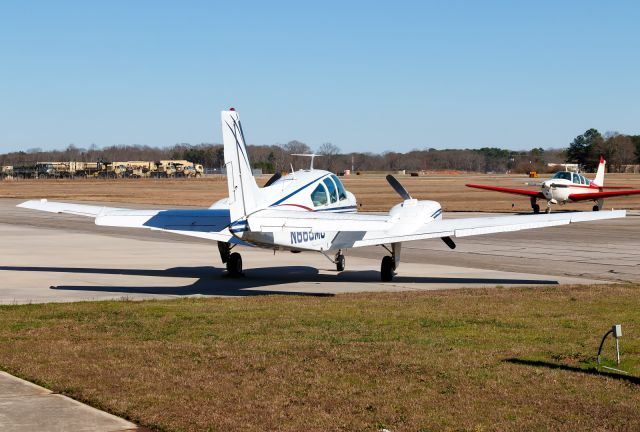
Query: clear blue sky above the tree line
(363,75)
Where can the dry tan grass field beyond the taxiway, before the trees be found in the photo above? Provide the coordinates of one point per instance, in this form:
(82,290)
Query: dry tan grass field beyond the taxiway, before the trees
(372,191)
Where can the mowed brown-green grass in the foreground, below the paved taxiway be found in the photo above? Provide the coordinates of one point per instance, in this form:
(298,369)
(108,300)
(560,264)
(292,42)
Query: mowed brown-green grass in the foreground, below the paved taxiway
(483,359)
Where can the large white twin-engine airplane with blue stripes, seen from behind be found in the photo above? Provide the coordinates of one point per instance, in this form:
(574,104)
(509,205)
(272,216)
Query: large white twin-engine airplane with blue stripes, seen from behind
(306,210)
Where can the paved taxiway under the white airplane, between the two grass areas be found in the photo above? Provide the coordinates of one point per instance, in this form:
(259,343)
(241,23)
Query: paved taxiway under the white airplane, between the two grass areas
(58,258)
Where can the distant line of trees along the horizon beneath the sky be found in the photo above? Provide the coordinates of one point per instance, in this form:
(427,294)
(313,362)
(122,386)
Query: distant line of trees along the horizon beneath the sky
(585,149)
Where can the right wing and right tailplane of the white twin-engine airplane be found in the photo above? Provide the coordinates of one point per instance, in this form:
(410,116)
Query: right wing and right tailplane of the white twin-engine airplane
(356,230)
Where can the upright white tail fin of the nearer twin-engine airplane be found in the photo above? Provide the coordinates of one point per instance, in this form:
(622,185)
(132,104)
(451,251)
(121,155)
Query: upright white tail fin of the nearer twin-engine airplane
(243,190)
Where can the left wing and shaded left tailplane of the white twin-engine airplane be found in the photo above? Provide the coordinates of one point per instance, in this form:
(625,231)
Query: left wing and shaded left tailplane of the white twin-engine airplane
(209,224)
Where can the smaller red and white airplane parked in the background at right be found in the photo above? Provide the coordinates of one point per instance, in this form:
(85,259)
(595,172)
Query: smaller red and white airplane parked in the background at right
(566,187)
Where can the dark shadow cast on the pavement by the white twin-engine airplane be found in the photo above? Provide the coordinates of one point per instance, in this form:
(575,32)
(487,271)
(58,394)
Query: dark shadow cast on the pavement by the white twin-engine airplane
(215,281)
